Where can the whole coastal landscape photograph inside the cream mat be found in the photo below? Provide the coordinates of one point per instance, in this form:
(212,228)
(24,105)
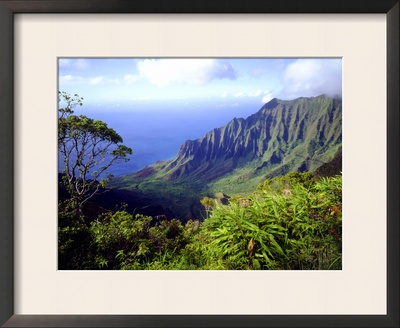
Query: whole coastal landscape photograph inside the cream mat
(199,163)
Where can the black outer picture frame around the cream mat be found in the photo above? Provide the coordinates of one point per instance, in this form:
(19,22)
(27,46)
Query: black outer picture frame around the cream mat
(10,7)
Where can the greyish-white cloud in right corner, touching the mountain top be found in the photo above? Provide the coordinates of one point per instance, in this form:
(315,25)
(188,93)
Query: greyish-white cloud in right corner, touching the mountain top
(312,77)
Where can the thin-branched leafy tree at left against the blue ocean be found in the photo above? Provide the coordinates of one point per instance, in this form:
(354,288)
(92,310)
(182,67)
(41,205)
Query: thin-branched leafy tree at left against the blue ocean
(88,148)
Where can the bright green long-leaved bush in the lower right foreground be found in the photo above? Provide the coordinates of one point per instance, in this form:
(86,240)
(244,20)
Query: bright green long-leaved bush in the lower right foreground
(281,228)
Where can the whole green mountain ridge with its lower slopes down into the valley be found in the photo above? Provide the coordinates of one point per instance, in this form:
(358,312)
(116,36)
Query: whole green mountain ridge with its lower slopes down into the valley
(283,136)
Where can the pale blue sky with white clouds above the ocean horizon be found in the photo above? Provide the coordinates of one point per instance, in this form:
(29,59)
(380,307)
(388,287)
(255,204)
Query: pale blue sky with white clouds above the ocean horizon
(125,83)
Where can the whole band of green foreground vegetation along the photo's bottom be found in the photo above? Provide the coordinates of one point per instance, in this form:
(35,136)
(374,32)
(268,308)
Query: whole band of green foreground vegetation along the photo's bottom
(292,222)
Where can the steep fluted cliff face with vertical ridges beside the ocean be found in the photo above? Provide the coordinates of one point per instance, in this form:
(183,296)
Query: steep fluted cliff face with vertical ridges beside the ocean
(283,136)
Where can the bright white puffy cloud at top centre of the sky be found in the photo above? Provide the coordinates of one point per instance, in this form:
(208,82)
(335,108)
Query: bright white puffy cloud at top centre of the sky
(165,72)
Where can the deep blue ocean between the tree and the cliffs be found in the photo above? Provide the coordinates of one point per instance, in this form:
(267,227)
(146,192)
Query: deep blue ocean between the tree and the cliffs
(156,131)
